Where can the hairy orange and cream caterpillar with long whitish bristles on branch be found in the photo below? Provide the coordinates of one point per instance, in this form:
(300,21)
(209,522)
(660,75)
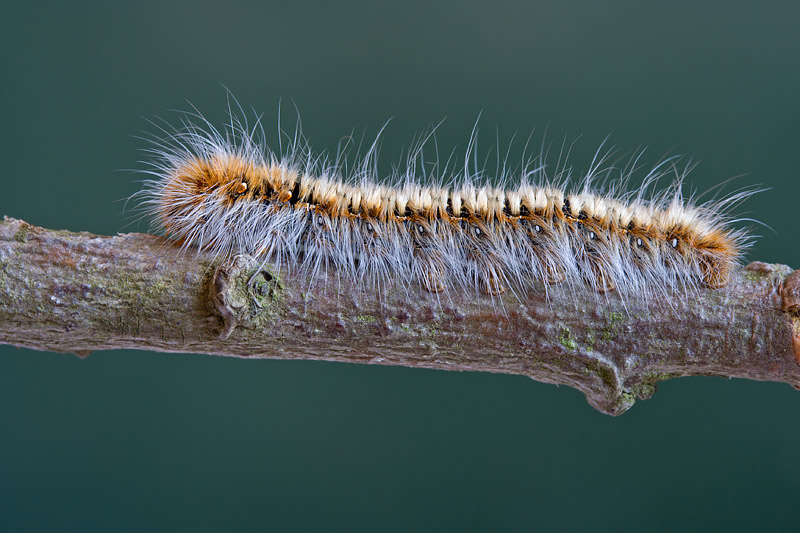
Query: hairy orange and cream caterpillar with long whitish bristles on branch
(226,191)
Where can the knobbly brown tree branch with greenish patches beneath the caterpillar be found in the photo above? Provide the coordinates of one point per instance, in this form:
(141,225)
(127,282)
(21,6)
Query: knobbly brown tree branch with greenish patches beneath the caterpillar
(78,292)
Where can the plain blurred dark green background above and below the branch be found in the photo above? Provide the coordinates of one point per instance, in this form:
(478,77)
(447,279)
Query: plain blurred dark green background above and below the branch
(127,441)
